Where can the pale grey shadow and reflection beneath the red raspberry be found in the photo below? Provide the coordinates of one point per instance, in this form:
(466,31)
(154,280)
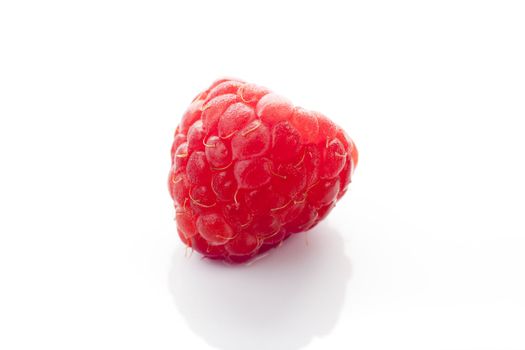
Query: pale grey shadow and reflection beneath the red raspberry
(282,301)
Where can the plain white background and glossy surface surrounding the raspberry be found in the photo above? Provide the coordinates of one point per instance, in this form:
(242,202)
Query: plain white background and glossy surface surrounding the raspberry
(427,250)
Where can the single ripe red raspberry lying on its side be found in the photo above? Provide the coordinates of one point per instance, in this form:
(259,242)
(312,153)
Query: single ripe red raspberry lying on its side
(248,169)
